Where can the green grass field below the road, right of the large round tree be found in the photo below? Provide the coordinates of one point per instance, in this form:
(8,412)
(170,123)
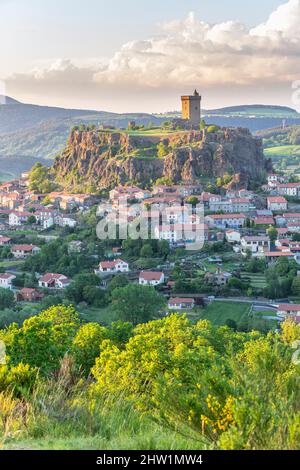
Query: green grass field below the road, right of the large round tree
(219,311)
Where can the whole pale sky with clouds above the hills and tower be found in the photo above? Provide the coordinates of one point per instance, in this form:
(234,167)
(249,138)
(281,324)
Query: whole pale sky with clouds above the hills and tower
(140,56)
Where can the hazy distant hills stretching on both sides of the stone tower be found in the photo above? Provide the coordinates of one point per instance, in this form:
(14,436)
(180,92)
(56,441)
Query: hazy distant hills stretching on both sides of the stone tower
(30,132)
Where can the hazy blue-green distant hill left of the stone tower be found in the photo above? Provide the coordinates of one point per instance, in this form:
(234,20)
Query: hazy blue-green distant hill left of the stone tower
(30,131)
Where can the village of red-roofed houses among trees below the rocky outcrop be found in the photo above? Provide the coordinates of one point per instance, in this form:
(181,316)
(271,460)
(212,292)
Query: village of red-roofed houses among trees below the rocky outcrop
(246,236)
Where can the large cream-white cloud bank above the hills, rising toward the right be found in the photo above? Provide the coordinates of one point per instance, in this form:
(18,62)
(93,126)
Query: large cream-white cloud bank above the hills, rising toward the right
(188,52)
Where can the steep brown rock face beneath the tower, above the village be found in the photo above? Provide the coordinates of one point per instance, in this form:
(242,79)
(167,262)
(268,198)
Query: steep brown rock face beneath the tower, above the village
(105,159)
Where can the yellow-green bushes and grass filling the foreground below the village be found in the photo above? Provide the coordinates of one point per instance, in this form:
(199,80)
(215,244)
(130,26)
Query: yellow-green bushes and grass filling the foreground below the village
(165,384)
